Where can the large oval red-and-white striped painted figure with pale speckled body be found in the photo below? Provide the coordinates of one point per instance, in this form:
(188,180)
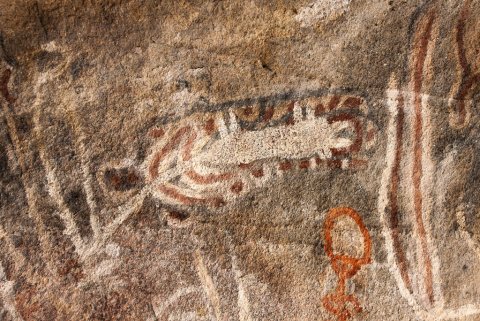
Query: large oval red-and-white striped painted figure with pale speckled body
(211,158)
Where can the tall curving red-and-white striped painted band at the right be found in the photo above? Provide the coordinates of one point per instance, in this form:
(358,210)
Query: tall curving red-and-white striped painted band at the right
(406,192)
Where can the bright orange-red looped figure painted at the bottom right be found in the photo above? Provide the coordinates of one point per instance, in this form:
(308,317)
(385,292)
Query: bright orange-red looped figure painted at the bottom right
(339,303)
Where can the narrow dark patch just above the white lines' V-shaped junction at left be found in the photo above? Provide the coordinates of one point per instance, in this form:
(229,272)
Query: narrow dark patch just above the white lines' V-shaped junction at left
(77,202)
